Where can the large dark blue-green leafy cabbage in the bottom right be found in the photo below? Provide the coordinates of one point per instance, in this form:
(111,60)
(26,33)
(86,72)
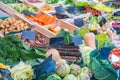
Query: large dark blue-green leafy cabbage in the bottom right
(102,69)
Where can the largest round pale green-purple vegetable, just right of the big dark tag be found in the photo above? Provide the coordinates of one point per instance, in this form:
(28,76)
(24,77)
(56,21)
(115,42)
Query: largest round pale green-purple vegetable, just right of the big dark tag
(62,69)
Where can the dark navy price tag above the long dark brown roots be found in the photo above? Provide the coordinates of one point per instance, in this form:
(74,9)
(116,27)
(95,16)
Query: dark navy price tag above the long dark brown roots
(56,41)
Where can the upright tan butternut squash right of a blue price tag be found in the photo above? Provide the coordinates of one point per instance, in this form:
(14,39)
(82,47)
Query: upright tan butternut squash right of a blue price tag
(89,39)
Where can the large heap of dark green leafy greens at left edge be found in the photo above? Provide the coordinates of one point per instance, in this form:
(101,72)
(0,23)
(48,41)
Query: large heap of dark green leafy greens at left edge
(13,50)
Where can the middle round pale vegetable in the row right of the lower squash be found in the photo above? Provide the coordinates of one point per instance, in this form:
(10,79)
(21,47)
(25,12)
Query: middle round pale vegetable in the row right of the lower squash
(75,69)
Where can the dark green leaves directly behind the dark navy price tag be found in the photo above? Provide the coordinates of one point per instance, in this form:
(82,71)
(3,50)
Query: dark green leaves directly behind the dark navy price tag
(66,35)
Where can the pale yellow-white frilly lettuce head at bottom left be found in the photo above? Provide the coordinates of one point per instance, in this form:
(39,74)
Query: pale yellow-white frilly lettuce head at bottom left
(22,71)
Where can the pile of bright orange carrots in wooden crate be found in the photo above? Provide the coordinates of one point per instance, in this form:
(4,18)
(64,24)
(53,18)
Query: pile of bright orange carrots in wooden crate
(42,19)
